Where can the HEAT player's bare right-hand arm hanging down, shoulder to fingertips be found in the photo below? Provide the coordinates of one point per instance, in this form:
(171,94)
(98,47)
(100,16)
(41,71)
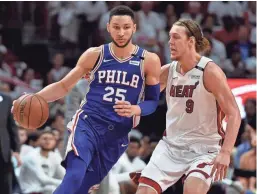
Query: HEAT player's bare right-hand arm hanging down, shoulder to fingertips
(215,82)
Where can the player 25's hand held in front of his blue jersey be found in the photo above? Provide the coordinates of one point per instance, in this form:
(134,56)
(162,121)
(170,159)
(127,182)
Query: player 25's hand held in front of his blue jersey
(125,109)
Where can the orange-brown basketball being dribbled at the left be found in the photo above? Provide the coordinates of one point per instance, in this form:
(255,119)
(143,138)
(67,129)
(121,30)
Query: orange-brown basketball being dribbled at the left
(31,111)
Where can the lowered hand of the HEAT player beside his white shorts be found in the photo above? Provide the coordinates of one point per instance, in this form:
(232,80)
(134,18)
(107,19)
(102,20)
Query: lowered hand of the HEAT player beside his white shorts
(220,166)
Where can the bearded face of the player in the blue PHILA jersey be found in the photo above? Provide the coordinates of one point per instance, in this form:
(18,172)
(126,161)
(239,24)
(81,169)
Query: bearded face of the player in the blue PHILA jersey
(121,29)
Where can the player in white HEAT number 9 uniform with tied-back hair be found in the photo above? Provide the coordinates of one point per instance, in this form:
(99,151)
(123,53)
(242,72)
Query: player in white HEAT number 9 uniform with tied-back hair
(198,98)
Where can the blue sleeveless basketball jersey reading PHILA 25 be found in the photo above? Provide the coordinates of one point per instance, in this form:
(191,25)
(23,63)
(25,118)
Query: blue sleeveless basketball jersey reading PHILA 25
(111,80)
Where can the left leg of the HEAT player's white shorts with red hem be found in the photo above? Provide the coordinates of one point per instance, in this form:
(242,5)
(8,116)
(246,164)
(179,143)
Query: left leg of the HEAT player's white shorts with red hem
(163,170)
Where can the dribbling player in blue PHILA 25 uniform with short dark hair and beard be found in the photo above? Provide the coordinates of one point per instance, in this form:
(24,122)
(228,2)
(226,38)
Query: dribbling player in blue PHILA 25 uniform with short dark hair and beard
(121,74)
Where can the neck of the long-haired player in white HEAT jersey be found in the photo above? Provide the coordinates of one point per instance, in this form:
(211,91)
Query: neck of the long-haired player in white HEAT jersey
(188,62)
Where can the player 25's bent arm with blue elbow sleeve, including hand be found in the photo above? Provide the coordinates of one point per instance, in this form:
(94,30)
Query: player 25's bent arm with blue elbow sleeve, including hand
(152,71)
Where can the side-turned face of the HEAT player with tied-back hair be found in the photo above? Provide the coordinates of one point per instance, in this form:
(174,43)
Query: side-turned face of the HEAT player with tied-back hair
(179,42)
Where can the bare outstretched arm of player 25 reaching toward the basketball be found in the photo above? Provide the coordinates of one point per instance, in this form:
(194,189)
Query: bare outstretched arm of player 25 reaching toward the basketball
(84,65)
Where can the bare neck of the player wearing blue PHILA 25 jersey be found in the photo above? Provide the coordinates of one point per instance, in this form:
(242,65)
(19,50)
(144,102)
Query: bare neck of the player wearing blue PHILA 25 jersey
(125,52)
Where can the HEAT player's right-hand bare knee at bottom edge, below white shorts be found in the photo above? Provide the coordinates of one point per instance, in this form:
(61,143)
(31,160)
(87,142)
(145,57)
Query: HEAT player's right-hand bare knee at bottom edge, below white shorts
(191,188)
